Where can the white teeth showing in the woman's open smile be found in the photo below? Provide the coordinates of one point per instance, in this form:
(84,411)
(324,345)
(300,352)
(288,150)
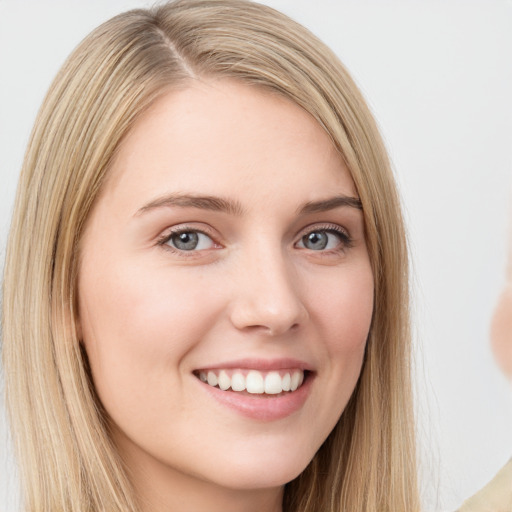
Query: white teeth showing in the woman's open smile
(254,382)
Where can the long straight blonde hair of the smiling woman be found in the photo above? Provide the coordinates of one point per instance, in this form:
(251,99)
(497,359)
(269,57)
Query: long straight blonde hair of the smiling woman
(67,461)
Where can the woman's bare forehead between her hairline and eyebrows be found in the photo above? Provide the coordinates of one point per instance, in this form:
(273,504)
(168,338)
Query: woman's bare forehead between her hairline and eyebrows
(223,134)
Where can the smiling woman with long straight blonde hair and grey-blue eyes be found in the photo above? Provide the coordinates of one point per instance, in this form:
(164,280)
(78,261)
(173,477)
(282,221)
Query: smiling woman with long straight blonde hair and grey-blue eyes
(214,312)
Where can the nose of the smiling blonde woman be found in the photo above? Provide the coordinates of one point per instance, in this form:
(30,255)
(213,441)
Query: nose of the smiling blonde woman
(266,296)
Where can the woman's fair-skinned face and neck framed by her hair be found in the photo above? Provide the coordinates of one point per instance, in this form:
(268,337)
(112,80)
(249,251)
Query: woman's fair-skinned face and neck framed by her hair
(228,239)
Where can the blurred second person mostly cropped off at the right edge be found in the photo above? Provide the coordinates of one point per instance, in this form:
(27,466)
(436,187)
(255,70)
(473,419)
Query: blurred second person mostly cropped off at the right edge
(497,495)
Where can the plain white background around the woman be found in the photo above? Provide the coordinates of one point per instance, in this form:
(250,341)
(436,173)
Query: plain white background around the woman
(438,76)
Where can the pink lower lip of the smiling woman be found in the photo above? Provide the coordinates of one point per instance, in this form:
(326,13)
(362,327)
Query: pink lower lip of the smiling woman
(263,407)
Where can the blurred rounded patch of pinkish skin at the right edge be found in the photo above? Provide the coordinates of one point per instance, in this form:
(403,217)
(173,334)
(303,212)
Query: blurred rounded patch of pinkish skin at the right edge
(501,331)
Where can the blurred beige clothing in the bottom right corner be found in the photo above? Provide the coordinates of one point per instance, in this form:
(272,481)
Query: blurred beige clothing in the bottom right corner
(496,496)
